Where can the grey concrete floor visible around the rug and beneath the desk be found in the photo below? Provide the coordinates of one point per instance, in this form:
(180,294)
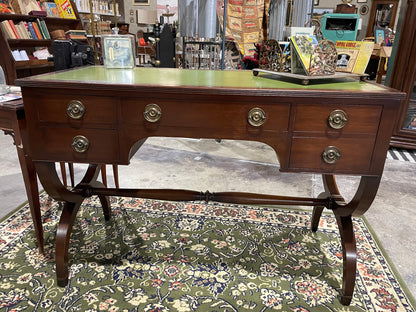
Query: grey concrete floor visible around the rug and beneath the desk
(248,167)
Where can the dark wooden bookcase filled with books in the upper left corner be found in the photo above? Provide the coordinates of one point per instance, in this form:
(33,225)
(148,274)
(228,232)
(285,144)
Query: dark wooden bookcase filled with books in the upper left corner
(27,29)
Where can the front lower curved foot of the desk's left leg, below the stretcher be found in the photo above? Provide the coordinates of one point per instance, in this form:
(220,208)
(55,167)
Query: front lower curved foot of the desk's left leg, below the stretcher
(63,234)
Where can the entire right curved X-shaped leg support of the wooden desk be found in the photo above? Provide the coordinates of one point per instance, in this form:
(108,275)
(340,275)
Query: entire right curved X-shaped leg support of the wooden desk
(343,212)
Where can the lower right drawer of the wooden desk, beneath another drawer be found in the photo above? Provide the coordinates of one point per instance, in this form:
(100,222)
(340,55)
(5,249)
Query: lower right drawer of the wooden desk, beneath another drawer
(355,154)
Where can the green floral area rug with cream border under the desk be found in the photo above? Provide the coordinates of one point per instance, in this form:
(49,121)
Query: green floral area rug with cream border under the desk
(190,256)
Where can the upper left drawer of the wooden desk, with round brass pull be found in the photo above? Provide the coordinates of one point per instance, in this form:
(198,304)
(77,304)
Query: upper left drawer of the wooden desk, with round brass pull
(97,111)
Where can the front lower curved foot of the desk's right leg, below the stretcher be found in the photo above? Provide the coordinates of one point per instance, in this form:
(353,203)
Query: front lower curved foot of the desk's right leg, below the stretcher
(349,253)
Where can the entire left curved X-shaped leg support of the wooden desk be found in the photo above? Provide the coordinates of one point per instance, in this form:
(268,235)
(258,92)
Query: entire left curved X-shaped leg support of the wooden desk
(73,200)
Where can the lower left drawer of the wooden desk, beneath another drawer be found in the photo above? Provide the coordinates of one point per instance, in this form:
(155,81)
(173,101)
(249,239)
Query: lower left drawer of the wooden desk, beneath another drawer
(56,145)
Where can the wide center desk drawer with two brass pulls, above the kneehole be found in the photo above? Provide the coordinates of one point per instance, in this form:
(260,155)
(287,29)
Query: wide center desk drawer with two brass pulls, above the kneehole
(199,113)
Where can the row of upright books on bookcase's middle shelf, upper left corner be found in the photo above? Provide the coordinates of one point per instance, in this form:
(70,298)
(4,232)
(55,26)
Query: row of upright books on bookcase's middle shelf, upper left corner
(25,30)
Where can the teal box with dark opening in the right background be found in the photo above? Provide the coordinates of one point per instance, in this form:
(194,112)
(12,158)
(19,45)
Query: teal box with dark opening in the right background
(339,26)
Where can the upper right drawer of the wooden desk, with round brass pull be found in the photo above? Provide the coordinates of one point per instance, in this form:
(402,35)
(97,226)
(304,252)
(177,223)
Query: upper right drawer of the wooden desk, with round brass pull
(359,119)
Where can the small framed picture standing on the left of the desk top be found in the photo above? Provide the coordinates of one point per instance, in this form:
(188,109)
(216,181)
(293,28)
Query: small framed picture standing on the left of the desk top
(118,52)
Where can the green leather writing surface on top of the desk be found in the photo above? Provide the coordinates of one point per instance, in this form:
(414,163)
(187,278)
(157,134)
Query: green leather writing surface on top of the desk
(171,77)
